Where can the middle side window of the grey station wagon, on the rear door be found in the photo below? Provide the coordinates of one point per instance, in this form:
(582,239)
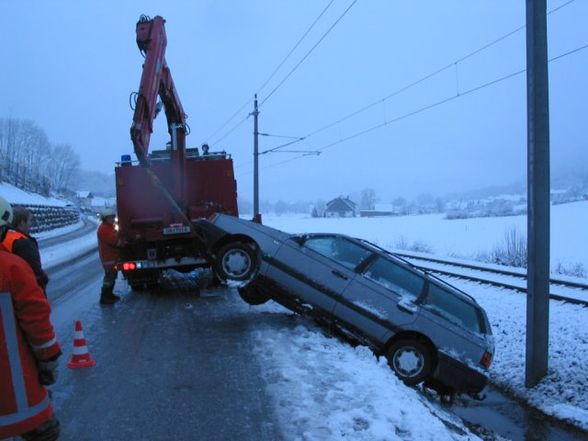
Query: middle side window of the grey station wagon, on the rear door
(395,277)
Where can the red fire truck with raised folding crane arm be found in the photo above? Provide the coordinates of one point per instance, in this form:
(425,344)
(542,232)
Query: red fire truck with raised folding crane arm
(164,192)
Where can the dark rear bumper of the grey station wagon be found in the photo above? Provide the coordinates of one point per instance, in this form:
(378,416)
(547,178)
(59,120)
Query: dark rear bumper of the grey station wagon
(458,375)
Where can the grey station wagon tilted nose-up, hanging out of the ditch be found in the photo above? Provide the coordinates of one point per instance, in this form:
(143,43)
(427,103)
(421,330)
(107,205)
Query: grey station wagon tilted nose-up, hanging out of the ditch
(428,330)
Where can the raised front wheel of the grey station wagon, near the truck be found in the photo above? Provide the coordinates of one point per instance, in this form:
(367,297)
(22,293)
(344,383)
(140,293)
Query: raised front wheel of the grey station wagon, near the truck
(236,261)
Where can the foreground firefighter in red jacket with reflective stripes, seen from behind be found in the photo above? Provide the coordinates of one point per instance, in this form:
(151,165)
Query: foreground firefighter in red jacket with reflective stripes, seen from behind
(28,349)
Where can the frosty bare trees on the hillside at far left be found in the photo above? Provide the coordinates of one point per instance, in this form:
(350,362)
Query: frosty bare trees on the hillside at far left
(28,160)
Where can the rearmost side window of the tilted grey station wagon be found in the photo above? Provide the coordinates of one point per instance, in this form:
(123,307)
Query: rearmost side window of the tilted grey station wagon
(453,308)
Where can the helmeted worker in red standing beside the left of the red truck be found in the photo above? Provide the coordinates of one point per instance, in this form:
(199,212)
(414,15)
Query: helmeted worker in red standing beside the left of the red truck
(108,248)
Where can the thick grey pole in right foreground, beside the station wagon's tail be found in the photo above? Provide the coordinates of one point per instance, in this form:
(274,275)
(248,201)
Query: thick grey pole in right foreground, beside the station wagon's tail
(538,190)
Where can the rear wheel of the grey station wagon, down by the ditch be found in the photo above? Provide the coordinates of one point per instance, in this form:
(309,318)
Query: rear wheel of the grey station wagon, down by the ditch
(410,360)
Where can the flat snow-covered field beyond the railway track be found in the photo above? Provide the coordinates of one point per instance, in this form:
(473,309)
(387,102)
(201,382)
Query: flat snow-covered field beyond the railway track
(465,238)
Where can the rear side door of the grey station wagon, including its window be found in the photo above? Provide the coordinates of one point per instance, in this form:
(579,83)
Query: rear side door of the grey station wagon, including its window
(381,299)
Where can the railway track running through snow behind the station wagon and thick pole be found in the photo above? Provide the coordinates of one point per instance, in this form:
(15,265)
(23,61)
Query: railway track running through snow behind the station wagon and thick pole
(571,291)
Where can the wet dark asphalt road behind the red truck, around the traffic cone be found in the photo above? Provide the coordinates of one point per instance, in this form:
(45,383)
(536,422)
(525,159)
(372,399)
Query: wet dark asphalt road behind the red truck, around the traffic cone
(170,366)
